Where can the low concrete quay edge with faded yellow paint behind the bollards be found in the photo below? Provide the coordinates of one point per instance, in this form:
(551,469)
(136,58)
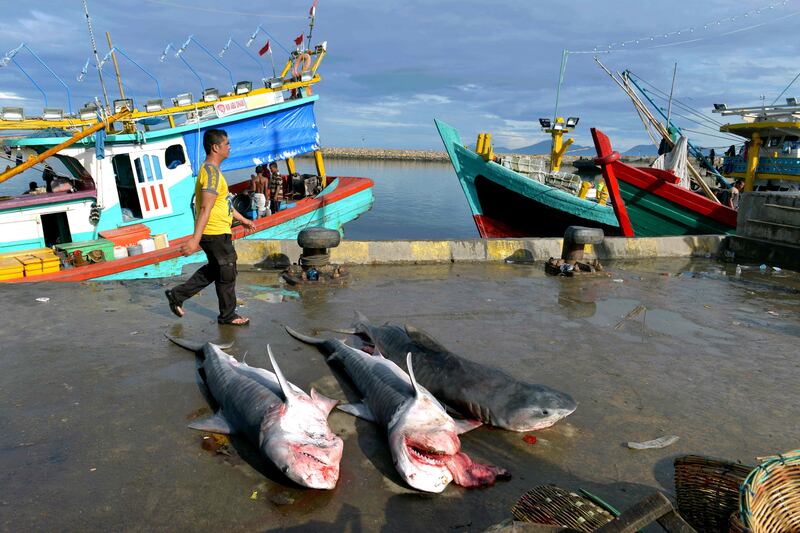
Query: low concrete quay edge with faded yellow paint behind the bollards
(276,252)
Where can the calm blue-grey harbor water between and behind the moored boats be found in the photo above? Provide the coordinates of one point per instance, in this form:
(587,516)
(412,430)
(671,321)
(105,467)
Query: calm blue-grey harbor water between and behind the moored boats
(413,200)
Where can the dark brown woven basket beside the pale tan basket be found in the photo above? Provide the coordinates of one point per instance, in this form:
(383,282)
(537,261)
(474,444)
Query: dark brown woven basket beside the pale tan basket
(707,491)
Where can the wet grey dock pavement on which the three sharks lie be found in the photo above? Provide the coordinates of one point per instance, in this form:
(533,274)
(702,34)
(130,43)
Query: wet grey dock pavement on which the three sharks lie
(94,402)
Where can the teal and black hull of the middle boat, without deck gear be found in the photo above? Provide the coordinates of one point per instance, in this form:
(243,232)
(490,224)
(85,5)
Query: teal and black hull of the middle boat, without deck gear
(505,203)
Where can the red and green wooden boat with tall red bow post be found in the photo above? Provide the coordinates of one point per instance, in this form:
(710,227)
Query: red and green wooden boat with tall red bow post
(650,202)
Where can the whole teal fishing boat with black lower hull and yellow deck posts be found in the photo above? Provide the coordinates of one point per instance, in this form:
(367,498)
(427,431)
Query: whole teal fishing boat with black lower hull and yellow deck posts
(517,197)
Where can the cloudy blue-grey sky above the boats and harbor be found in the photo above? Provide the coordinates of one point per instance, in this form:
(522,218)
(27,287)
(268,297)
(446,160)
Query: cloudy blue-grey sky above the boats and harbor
(393,66)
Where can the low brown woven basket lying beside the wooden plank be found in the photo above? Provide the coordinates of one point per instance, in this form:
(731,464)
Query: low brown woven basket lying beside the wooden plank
(548,504)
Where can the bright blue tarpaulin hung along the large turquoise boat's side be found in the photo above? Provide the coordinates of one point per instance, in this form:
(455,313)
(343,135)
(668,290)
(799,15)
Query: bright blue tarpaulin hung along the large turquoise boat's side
(258,140)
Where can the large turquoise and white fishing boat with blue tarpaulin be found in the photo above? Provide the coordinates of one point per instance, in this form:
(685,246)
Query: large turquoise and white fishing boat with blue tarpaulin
(124,176)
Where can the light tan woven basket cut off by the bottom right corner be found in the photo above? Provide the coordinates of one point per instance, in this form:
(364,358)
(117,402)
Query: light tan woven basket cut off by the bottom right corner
(770,496)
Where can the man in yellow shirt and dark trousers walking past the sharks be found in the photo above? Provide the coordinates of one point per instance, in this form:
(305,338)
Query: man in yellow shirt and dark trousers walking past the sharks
(214,215)
